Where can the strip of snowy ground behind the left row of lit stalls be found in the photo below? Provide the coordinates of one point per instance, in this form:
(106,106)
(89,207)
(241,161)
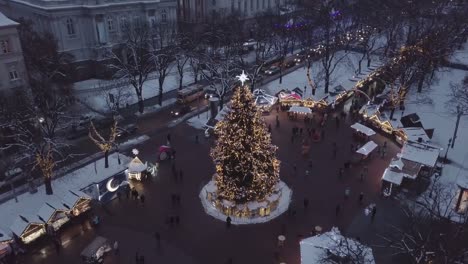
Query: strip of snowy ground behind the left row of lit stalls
(66,193)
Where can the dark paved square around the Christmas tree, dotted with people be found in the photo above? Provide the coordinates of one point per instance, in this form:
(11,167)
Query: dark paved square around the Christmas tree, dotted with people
(200,238)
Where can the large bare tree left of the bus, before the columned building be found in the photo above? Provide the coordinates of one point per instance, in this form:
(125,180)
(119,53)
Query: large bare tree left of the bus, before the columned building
(133,60)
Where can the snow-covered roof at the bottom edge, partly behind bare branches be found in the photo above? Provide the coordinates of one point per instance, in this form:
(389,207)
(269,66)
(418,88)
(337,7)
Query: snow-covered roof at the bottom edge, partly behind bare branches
(314,249)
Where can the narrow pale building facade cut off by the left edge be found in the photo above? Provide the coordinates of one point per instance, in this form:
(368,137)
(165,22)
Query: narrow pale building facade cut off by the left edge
(12,70)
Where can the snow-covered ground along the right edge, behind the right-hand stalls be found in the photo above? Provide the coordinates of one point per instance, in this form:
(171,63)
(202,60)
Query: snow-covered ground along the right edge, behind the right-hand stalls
(435,107)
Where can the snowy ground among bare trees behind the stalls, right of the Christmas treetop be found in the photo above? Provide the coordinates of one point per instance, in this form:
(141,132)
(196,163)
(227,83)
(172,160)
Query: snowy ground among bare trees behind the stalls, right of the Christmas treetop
(343,75)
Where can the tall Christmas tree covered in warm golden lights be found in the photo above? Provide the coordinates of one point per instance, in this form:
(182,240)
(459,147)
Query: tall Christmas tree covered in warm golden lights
(246,165)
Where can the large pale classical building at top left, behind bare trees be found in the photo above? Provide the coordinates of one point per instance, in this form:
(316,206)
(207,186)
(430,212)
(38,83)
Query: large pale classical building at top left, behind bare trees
(88,28)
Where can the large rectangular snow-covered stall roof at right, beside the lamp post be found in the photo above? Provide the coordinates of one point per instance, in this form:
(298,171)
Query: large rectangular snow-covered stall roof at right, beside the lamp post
(420,153)
